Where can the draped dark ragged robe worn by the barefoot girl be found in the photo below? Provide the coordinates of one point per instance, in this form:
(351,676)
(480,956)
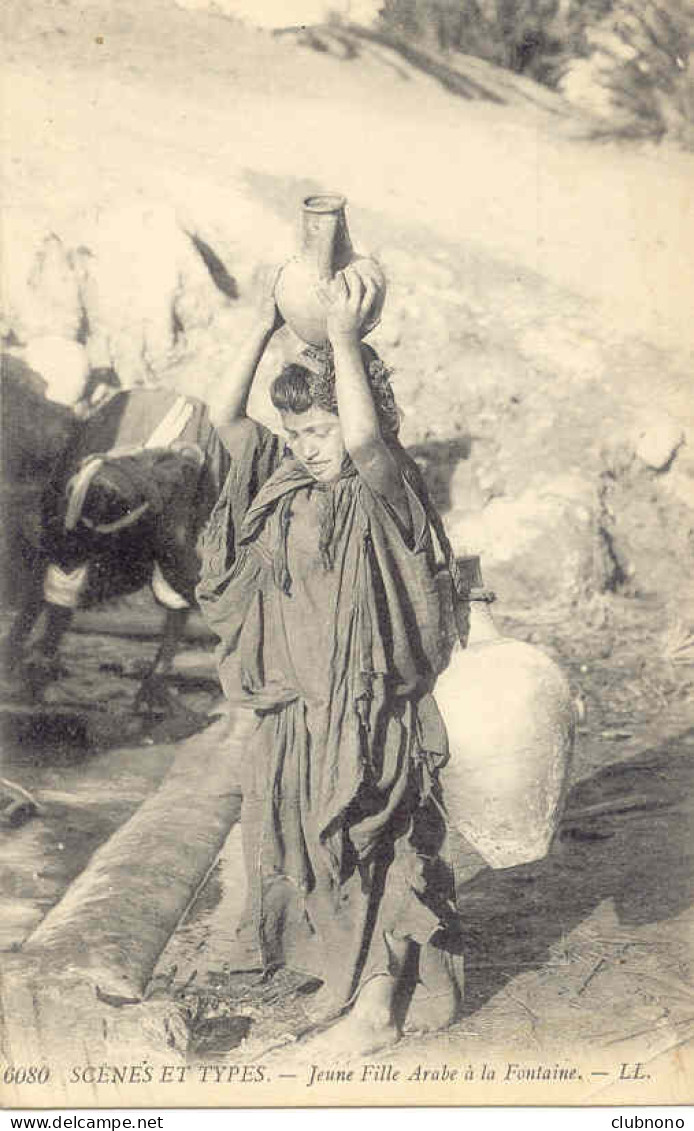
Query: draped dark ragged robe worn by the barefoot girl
(332,632)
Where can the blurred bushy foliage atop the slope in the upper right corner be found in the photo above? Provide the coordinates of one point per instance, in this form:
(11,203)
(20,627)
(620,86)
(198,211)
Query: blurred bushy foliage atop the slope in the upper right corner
(627,62)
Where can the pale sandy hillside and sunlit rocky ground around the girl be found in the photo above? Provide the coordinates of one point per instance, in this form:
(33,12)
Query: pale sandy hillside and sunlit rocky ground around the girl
(539,325)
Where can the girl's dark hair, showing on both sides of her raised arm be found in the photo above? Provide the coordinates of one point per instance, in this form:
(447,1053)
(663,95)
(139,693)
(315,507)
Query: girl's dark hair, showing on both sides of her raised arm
(299,387)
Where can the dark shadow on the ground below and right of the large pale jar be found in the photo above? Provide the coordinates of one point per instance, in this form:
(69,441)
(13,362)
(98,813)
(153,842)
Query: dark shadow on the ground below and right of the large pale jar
(627,836)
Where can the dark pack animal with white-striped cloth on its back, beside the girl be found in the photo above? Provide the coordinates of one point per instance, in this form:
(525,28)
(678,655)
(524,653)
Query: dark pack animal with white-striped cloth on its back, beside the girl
(125,506)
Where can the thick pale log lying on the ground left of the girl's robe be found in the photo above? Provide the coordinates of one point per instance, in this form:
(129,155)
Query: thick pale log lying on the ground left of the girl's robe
(117,918)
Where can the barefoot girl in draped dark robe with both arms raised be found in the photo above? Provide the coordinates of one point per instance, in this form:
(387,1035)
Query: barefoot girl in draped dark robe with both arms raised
(319,579)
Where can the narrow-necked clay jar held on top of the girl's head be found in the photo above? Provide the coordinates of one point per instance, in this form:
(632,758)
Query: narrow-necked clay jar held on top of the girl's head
(325,251)
